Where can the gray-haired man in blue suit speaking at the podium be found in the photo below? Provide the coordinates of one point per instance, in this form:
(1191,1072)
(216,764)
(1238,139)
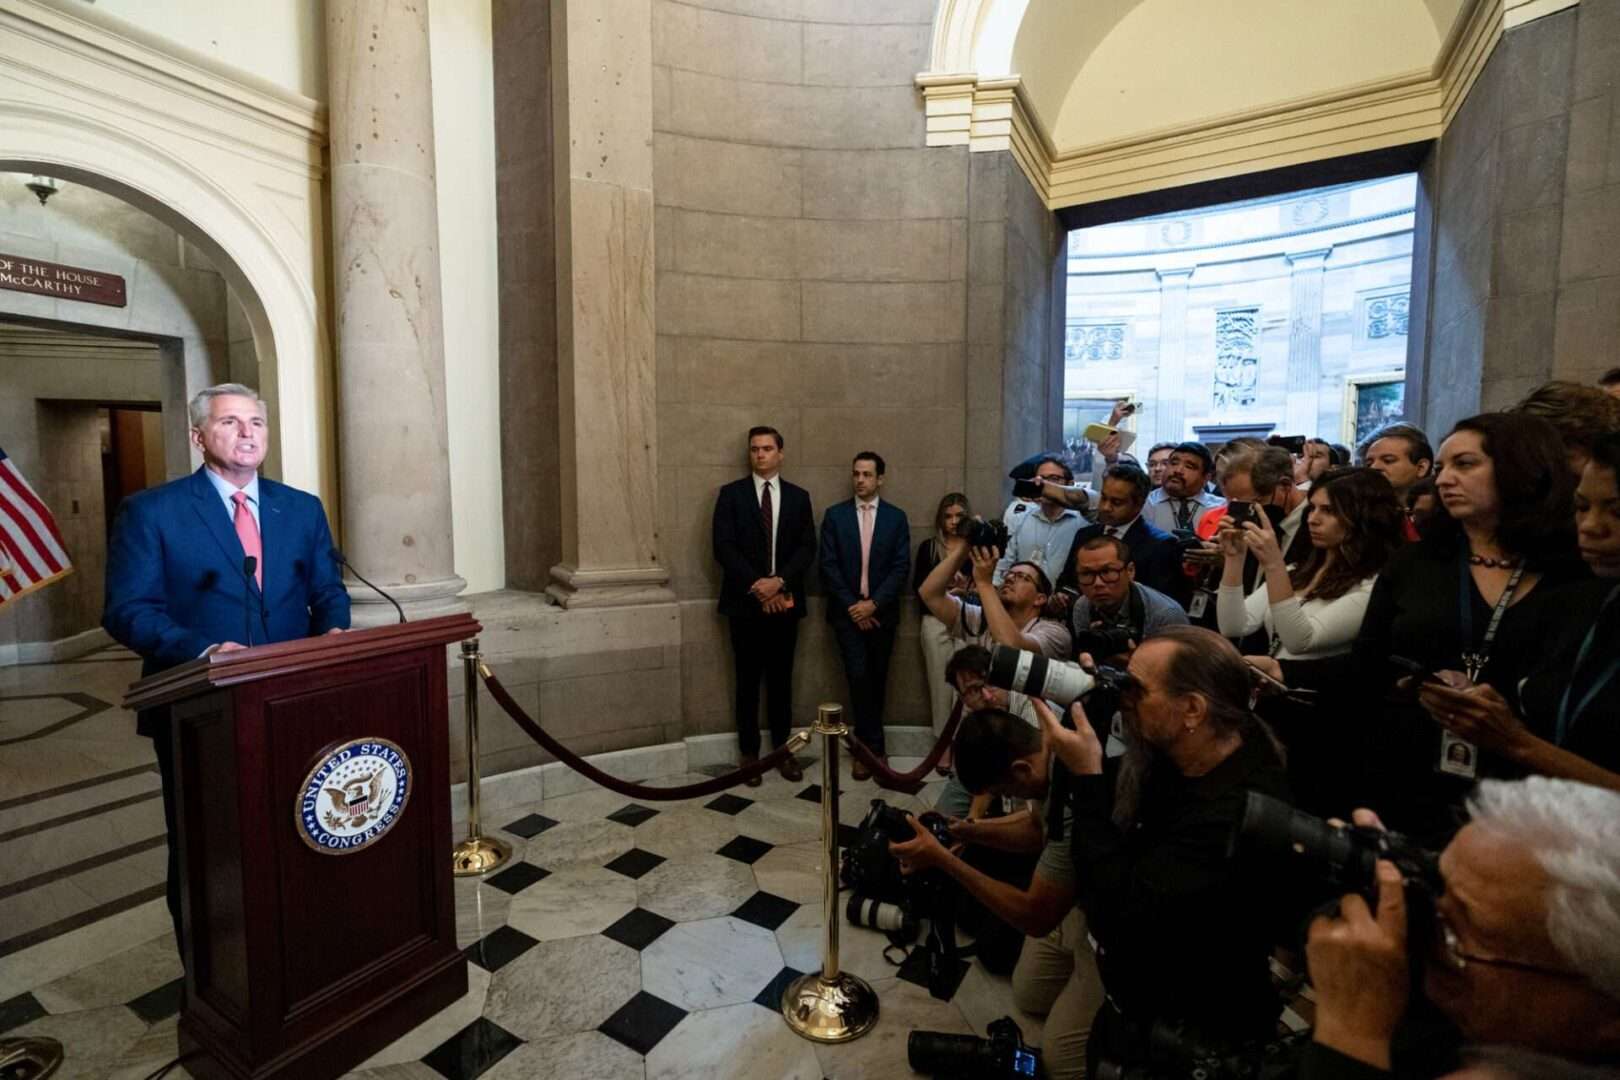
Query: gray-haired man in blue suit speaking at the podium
(215,563)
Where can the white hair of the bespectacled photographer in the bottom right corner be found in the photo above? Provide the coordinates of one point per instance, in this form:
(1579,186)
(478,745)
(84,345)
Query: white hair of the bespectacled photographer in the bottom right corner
(1574,830)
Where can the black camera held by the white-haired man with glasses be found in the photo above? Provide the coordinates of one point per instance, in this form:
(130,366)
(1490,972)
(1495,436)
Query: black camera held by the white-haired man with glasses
(1344,859)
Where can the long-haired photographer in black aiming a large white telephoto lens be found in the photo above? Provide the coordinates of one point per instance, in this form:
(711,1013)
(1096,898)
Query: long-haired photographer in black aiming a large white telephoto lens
(1183,930)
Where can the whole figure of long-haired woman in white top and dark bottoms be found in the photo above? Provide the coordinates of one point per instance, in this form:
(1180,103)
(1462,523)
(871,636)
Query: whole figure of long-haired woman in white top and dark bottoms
(1313,614)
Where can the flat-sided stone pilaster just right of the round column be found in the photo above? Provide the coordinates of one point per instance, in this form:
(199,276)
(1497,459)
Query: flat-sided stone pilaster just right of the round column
(608,432)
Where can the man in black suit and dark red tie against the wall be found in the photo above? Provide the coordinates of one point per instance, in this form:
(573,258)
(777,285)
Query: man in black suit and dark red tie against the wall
(765,543)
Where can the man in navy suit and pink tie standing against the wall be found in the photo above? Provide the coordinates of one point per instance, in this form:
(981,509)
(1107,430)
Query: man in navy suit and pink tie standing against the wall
(866,556)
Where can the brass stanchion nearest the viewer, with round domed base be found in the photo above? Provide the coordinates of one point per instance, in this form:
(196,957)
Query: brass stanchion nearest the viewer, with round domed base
(833,1006)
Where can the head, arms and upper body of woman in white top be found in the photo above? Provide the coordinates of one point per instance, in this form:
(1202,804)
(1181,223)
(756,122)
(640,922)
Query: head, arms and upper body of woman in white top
(1313,611)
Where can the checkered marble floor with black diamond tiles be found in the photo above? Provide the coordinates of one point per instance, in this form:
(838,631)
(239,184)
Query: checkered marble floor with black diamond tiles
(623,942)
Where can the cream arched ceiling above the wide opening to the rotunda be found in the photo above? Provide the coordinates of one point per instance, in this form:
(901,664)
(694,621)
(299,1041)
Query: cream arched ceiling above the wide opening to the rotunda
(1106,70)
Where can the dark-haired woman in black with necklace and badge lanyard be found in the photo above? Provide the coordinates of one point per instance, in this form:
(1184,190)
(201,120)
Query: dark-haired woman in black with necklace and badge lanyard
(1475,598)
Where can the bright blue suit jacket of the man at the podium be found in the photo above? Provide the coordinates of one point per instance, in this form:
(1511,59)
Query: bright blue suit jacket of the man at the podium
(176,580)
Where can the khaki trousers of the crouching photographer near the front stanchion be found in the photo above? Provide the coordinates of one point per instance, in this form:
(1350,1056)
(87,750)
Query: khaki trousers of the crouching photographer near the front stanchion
(1057,979)
